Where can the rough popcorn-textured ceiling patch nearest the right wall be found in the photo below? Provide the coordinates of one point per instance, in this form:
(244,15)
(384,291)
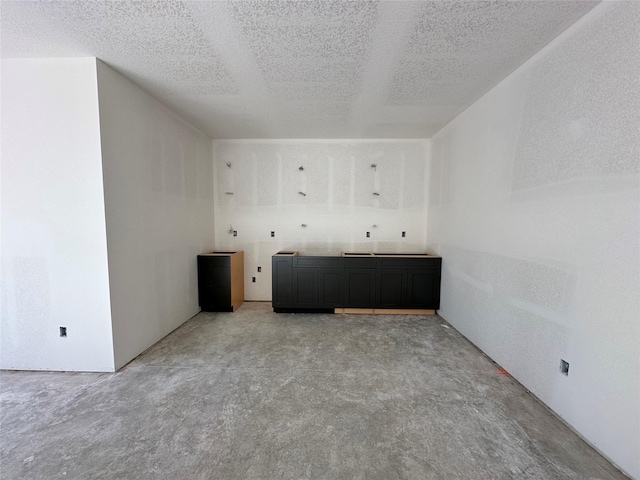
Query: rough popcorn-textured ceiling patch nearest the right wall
(458,49)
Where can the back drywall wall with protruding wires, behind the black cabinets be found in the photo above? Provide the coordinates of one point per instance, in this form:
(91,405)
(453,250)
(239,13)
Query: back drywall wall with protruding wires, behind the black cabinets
(331,186)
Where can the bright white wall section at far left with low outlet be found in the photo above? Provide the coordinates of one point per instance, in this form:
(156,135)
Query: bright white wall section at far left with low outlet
(54,251)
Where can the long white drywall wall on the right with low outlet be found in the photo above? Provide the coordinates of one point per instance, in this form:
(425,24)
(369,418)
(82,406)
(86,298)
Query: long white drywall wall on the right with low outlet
(534,206)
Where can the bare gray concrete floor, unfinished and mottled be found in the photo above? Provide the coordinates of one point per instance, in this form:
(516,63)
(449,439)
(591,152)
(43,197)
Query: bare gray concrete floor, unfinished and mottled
(258,395)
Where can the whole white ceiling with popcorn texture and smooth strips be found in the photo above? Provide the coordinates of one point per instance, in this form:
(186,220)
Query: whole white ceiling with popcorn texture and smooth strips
(299,69)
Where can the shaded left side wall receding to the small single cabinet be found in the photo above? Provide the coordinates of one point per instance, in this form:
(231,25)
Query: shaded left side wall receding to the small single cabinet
(158,194)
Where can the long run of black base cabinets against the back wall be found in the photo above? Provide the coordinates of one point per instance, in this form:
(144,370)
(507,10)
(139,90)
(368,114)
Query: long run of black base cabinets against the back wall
(319,283)
